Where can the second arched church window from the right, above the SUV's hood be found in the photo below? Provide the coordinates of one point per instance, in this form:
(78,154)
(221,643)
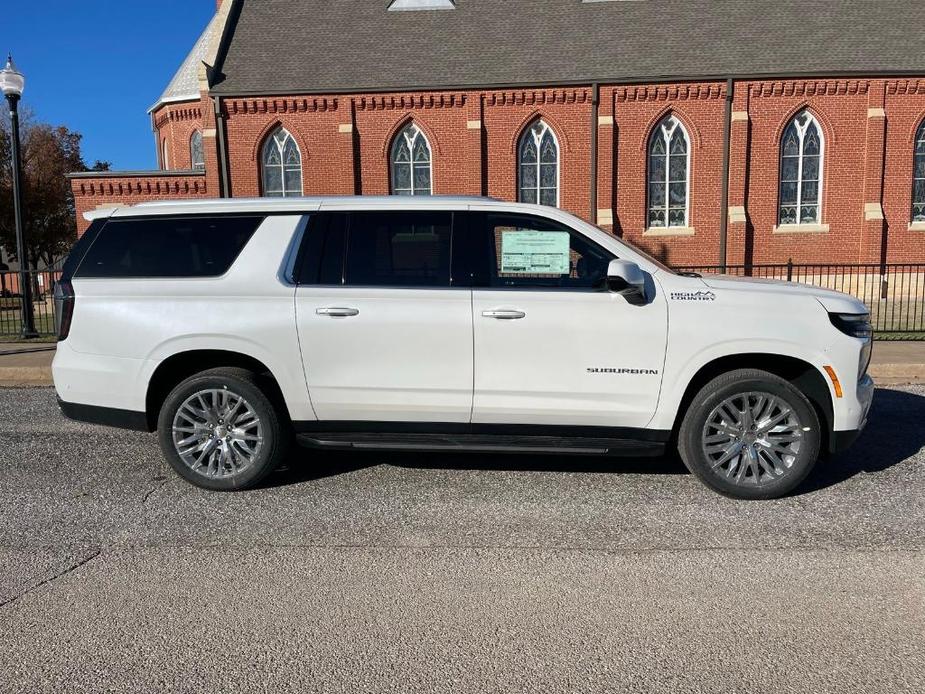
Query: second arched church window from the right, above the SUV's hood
(802,149)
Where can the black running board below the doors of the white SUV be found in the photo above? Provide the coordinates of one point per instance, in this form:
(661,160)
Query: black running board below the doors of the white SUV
(484,443)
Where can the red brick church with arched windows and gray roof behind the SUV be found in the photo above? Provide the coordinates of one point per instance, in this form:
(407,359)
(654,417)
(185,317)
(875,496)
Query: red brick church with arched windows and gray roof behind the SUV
(759,130)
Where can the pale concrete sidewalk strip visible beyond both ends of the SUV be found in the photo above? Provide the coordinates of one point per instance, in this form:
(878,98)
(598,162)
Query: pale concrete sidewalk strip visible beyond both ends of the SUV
(894,363)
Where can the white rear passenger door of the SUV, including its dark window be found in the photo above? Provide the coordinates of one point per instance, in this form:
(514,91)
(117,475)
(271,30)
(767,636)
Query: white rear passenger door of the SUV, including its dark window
(385,336)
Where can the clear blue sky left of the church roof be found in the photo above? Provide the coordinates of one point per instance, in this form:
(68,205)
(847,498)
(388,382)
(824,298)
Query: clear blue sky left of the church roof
(96,67)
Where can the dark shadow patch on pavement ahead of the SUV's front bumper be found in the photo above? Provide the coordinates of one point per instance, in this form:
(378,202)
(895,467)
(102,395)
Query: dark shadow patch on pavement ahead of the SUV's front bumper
(895,432)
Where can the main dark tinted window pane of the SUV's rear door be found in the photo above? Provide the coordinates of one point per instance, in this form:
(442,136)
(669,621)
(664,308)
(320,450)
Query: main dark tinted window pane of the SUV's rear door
(404,249)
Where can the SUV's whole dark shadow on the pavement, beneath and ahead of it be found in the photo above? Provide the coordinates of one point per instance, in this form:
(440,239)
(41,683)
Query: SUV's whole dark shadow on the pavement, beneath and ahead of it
(894,433)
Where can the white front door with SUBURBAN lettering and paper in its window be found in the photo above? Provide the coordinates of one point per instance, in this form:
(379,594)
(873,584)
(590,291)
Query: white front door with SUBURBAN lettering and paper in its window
(552,345)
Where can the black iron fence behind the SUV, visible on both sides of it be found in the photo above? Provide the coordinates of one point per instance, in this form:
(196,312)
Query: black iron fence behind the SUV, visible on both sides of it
(895,293)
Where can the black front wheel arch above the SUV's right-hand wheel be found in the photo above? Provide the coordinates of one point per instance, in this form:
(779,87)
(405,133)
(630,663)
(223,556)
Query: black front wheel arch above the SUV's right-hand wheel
(808,379)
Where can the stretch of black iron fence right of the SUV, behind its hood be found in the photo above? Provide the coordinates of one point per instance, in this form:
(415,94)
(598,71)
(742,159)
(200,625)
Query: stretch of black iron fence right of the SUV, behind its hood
(895,293)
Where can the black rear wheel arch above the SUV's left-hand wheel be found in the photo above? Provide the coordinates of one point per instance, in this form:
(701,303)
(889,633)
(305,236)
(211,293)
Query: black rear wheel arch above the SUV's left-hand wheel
(180,366)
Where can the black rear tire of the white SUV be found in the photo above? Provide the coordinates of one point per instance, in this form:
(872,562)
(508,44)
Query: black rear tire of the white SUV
(274,432)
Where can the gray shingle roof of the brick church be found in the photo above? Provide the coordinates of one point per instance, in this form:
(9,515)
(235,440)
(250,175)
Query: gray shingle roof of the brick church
(316,46)
